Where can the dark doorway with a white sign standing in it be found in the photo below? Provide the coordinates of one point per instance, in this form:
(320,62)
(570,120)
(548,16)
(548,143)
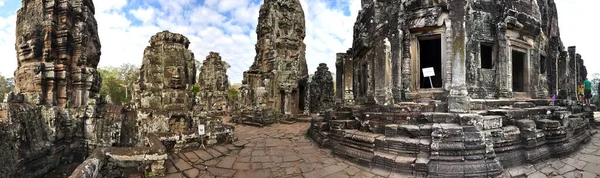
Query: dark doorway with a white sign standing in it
(430,55)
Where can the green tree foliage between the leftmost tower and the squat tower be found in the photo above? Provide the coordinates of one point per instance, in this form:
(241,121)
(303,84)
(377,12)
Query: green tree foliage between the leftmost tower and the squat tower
(118,82)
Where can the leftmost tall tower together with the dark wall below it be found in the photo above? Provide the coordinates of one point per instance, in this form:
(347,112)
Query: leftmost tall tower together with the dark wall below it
(56,85)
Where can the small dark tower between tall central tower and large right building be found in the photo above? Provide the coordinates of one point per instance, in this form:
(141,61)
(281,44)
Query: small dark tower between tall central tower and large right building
(321,89)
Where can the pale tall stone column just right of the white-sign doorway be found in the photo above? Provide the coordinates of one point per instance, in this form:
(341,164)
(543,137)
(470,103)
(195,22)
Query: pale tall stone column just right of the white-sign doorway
(458,100)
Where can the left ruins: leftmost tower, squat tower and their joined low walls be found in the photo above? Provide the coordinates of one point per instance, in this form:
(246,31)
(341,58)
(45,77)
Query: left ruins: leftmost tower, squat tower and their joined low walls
(57,118)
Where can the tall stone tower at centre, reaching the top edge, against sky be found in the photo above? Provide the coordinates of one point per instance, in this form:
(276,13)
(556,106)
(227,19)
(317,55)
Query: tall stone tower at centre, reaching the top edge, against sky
(277,78)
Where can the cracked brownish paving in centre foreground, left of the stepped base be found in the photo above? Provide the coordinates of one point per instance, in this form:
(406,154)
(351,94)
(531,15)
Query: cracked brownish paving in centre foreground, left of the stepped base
(276,151)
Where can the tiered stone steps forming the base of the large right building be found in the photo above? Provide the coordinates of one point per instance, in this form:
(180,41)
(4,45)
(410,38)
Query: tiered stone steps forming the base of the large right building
(423,140)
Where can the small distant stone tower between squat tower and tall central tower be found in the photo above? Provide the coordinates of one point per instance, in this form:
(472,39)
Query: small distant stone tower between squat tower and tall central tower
(213,83)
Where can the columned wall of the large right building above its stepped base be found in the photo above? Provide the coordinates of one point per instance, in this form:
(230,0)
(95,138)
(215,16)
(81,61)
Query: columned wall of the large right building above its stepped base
(387,44)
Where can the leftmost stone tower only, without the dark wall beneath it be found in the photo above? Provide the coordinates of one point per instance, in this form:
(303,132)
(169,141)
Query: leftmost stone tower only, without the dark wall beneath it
(58,50)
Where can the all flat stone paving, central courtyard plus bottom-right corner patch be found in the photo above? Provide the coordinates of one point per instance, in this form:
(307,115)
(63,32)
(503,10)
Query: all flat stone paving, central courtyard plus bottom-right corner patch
(283,151)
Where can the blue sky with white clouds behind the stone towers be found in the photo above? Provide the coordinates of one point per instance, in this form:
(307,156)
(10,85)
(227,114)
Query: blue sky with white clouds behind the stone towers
(227,26)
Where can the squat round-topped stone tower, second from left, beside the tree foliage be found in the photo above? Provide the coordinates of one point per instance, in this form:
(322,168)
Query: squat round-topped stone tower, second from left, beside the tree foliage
(168,74)
